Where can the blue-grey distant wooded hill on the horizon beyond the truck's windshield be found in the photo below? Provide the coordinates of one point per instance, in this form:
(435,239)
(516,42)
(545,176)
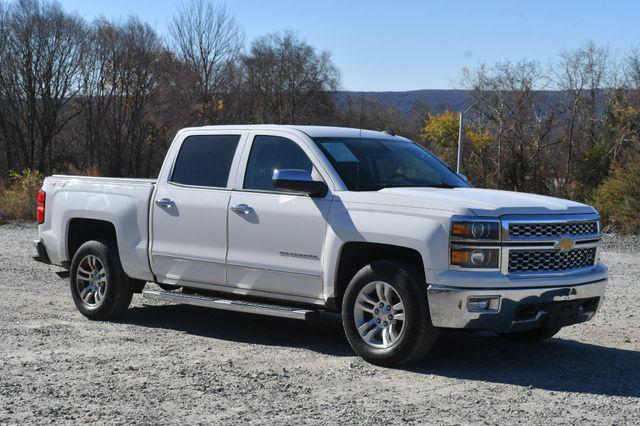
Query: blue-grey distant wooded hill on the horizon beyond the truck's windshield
(435,100)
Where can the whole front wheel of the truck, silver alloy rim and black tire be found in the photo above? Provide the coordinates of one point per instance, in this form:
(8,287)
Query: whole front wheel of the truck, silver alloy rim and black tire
(385,314)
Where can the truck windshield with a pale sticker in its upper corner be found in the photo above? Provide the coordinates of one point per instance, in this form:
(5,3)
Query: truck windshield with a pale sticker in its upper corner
(374,164)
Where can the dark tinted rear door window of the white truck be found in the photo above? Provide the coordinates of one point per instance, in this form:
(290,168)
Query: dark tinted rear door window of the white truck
(205,160)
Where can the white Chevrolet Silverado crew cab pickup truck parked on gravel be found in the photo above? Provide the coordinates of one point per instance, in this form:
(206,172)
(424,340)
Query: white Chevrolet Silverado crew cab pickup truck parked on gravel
(291,220)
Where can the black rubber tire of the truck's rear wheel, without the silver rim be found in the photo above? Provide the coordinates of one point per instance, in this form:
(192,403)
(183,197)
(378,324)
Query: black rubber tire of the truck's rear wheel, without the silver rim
(118,288)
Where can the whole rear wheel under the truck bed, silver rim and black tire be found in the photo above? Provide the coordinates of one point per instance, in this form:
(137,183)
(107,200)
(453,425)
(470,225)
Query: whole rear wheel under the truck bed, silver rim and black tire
(99,286)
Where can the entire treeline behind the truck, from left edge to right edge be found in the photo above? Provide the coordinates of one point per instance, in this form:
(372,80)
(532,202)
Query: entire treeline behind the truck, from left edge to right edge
(106,97)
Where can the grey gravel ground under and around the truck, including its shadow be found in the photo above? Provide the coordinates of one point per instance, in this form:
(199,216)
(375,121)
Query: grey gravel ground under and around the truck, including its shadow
(170,364)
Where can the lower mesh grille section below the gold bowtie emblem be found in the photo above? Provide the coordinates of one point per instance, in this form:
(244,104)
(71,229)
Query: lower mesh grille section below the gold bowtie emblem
(550,260)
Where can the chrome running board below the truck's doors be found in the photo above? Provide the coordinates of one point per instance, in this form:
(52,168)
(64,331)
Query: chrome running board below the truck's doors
(229,305)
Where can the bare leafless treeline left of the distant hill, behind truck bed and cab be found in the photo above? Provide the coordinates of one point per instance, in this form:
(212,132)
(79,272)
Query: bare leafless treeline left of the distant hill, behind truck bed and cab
(107,97)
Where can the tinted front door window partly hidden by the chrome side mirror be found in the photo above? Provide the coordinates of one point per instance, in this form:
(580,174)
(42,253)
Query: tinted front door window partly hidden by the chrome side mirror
(269,153)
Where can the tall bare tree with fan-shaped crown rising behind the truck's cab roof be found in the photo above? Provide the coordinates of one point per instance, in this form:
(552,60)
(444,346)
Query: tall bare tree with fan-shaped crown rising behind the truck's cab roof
(207,39)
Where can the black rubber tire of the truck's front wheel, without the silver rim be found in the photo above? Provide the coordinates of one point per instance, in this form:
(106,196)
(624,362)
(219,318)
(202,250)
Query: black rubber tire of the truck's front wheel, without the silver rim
(418,334)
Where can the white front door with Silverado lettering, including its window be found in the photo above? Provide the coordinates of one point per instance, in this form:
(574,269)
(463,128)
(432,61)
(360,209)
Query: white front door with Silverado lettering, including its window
(276,238)
